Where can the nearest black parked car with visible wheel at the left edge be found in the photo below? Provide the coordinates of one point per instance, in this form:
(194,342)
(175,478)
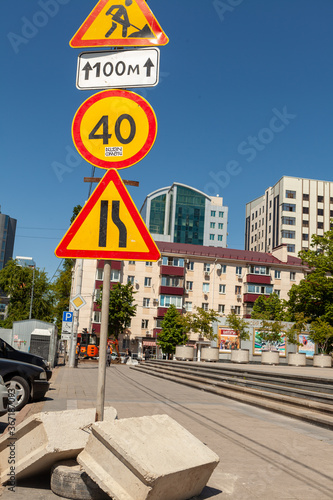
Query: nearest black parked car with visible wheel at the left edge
(28,381)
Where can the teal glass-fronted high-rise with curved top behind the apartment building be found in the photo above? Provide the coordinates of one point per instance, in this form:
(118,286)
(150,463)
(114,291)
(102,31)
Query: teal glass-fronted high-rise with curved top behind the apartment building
(182,214)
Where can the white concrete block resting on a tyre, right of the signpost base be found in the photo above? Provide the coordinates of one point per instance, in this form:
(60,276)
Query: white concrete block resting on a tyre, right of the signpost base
(151,458)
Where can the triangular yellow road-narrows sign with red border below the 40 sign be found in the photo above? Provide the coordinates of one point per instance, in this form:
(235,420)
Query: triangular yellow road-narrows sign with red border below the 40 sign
(109,226)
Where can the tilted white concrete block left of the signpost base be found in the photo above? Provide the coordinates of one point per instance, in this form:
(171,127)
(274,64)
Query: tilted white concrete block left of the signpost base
(45,438)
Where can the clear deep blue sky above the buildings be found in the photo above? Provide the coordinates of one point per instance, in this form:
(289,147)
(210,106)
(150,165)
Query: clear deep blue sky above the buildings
(229,69)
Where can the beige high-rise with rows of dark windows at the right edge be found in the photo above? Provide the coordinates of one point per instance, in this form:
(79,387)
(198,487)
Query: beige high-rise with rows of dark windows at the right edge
(289,213)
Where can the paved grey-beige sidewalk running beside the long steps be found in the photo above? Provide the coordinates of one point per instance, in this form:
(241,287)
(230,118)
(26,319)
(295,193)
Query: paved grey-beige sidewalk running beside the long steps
(262,455)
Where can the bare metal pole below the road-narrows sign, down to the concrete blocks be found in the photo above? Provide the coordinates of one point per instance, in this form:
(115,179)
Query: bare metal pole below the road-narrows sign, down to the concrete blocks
(102,342)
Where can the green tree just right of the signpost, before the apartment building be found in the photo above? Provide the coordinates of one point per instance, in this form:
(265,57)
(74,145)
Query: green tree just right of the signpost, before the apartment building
(121,309)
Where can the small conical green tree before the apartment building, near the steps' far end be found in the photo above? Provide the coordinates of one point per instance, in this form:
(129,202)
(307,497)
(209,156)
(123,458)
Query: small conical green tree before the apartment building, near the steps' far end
(173,331)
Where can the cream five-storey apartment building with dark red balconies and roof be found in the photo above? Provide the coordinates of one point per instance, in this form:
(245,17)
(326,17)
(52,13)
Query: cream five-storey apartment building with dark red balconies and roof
(188,276)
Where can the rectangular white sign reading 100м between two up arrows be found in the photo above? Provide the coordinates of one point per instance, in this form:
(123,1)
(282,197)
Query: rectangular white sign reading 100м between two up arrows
(118,69)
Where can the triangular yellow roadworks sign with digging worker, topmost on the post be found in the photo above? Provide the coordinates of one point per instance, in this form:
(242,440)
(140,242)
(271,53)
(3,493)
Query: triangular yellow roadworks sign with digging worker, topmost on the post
(120,23)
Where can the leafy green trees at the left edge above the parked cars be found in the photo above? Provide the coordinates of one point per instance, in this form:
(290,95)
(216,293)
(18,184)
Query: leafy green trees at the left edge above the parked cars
(17,281)
